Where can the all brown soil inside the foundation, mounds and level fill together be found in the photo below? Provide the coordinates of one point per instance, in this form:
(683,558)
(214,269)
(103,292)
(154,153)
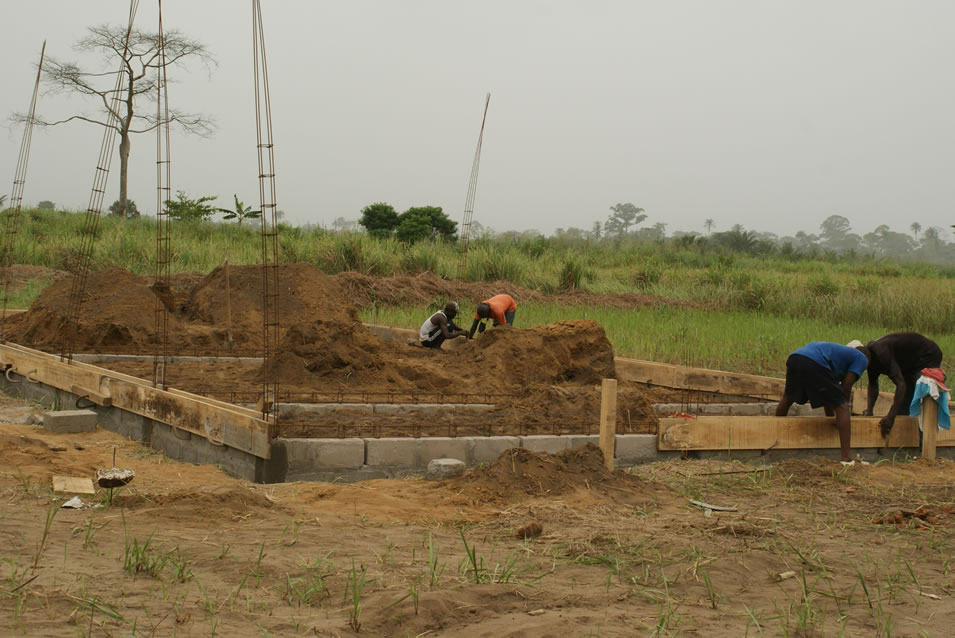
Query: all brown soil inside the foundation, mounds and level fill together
(544,379)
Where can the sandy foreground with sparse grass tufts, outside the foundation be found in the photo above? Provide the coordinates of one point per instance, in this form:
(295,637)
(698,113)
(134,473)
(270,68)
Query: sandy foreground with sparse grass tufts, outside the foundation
(186,550)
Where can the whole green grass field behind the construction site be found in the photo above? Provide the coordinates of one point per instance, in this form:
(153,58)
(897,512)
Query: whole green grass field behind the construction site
(752,310)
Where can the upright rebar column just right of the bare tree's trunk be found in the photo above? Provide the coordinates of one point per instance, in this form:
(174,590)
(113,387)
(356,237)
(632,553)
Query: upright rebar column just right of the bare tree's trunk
(163,193)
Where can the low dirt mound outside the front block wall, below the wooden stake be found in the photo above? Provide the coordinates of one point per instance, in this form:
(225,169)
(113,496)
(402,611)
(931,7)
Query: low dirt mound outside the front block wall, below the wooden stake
(520,472)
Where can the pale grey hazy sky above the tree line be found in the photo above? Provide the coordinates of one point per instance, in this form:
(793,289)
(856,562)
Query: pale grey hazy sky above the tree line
(773,115)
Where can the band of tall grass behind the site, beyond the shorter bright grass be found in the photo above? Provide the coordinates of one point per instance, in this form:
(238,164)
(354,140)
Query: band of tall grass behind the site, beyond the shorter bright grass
(827,293)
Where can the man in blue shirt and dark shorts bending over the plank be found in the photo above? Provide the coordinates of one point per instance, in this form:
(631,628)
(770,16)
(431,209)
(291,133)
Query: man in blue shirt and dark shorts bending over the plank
(822,373)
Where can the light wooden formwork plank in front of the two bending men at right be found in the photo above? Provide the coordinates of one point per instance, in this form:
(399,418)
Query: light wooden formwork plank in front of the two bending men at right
(783,433)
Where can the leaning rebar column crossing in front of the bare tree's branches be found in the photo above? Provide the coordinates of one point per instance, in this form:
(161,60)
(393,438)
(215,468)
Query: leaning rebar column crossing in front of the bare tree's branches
(81,267)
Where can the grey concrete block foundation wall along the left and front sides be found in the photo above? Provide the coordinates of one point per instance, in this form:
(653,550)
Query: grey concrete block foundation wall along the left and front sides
(357,459)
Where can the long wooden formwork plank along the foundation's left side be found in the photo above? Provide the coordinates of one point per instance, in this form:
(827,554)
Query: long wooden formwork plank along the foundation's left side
(220,422)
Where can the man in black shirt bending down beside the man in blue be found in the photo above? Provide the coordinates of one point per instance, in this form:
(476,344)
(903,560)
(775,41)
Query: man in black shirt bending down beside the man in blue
(901,357)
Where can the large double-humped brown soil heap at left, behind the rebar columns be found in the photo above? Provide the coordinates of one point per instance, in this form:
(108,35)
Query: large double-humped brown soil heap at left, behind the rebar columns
(118,310)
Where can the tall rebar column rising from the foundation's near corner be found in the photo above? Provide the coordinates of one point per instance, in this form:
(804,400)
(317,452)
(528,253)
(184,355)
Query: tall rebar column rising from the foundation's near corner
(269,227)
